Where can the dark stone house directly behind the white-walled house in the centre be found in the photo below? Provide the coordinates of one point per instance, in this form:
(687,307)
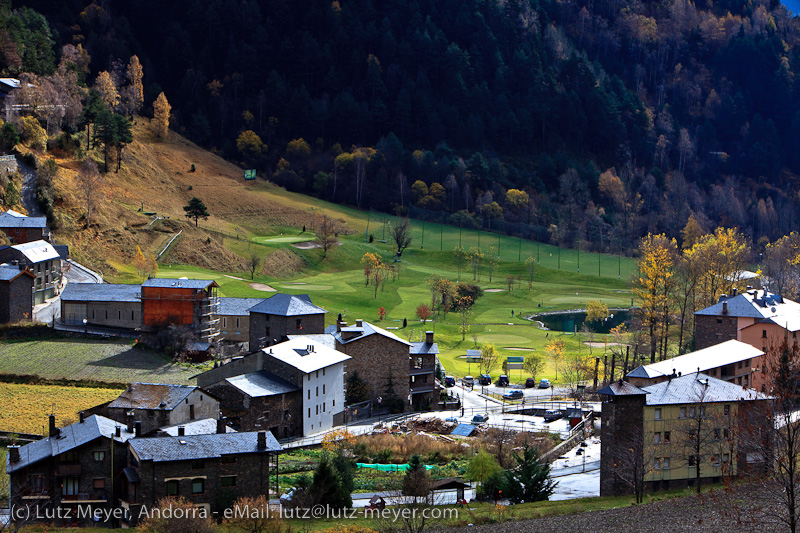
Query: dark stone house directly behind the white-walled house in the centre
(383,363)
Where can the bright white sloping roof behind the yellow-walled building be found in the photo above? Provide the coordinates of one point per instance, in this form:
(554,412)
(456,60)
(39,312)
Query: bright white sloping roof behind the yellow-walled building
(725,353)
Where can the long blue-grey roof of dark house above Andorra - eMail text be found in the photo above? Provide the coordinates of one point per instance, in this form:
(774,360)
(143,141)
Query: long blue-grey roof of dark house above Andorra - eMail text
(189,447)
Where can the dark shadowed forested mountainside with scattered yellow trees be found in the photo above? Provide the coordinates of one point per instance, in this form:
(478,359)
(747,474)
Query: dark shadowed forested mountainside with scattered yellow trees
(591,123)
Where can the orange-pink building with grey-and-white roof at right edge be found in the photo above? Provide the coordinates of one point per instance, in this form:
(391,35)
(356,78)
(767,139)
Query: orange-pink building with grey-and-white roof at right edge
(754,310)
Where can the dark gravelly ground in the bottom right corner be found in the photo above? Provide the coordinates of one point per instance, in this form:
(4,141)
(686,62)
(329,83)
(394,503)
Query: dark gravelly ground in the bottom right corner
(734,511)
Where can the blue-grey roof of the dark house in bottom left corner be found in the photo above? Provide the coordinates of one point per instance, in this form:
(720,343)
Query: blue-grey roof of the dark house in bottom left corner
(71,437)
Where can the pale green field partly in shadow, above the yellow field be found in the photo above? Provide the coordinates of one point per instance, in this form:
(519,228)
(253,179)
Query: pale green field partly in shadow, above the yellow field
(88,359)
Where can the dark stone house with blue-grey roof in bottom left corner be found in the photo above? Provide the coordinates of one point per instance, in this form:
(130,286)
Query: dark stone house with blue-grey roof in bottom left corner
(72,473)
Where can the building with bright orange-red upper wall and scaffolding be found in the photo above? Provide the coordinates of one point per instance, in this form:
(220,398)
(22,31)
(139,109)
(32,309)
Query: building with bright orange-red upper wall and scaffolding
(181,302)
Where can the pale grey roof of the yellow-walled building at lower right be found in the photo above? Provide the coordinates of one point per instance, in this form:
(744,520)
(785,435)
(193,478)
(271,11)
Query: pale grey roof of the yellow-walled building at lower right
(692,388)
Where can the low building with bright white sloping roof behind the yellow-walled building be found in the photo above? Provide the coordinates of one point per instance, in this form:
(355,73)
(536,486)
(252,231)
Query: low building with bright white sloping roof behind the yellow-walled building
(732,361)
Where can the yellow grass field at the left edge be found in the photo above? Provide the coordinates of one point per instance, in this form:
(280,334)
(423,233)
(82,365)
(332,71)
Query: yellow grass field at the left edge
(26,407)
